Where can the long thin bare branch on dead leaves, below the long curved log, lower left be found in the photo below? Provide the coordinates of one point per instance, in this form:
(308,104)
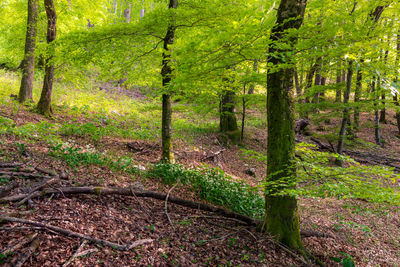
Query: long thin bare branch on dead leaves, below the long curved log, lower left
(78,235)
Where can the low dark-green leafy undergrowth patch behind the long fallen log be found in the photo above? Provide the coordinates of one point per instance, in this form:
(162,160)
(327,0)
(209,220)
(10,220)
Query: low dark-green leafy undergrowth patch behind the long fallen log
(213,186)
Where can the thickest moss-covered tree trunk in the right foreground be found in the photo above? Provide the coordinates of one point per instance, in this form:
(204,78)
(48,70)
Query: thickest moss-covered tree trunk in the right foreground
(282,219)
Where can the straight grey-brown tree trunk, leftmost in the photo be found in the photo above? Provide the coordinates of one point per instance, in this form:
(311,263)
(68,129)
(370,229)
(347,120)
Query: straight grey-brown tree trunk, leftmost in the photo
(28,63)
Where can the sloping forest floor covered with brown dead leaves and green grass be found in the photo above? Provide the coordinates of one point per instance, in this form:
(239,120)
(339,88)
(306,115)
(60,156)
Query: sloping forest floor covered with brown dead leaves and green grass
(368,233)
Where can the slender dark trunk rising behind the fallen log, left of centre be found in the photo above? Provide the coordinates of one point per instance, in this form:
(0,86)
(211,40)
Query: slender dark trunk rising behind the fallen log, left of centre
(166,73)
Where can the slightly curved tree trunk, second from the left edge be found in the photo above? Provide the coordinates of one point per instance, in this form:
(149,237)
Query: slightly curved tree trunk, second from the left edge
(44,105)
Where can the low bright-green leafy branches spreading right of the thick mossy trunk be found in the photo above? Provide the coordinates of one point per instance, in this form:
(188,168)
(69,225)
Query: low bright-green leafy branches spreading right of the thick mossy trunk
(318,176)
